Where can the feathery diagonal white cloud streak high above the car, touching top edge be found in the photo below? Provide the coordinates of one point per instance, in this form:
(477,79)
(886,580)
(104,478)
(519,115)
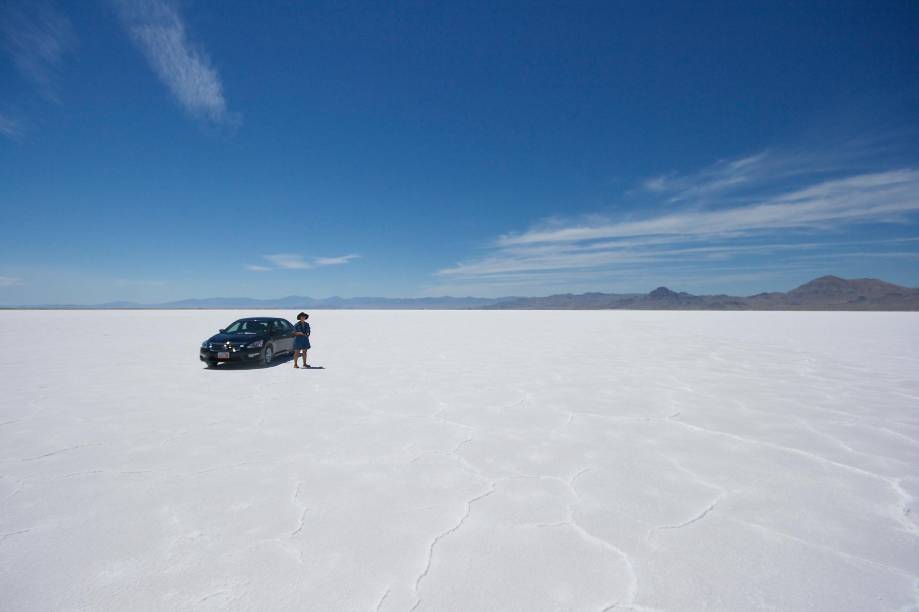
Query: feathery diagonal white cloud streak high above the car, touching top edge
(159,31)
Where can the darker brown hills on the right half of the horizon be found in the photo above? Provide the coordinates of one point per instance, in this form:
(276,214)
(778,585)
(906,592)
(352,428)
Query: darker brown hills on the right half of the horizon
(824,293)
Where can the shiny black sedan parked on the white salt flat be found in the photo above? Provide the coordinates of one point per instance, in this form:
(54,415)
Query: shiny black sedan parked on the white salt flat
(256,339)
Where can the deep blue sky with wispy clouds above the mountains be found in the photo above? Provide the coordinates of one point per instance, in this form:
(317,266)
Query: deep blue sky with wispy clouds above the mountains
(153,150)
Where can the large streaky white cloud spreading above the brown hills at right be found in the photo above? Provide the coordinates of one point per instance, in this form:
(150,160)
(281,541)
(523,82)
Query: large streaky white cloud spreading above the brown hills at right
(719,216)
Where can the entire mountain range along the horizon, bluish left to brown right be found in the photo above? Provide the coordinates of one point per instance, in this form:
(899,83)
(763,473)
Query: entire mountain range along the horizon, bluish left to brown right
(824,293)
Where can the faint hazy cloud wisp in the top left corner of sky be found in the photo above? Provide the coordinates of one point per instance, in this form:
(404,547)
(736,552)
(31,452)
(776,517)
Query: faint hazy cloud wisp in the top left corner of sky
(37,36)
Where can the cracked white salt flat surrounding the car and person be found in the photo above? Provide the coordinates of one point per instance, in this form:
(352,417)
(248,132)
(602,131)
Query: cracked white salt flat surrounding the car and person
(463,461)
